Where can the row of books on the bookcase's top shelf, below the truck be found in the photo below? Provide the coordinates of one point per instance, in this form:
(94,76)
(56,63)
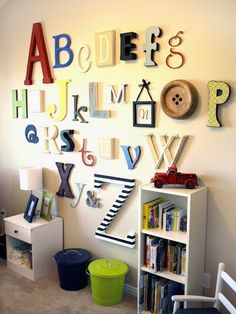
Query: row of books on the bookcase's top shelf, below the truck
(165,215)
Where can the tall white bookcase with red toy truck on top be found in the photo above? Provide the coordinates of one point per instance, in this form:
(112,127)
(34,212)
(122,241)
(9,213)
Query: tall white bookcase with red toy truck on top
(195,201)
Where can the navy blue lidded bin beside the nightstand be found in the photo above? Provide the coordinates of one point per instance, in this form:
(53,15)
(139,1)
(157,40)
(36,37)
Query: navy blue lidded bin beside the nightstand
(71,266)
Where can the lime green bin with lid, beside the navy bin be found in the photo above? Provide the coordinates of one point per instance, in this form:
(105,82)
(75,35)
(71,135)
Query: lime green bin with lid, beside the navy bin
(107,278)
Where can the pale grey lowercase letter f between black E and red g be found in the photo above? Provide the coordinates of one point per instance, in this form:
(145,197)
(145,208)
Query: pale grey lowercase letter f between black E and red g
(150,45)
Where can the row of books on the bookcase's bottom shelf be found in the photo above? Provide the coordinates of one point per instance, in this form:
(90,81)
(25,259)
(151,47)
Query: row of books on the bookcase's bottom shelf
(156,294)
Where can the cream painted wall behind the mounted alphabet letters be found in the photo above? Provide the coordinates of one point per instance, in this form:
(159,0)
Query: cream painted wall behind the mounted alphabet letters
(209,49)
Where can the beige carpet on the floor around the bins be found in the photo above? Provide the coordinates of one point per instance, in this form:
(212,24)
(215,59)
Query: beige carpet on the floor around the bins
(20,295)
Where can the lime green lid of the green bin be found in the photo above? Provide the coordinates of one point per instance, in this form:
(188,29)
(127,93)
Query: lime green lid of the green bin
(108,267)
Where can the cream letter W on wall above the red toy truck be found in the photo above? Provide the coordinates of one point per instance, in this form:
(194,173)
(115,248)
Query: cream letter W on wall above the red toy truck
(164,148)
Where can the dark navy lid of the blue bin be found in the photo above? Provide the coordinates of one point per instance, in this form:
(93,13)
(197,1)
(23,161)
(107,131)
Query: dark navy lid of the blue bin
(73,256)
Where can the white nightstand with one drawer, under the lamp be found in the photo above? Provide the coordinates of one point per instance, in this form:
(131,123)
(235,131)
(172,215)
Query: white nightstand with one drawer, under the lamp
(44,239)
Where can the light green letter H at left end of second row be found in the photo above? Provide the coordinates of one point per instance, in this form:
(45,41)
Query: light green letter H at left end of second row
(16,104)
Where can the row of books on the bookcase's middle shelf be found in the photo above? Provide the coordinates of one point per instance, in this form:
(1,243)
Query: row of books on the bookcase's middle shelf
(162,254)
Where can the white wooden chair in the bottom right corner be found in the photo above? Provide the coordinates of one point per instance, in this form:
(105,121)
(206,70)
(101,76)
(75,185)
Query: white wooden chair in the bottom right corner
(217,301)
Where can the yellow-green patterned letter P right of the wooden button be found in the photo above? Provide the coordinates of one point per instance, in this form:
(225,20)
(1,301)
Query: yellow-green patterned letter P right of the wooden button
(219,93)
